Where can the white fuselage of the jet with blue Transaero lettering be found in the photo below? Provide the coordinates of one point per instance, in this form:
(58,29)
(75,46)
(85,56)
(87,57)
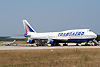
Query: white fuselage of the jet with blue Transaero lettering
(65,35)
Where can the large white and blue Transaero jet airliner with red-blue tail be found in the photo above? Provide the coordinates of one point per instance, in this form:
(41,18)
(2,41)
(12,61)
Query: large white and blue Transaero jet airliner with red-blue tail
(54,38)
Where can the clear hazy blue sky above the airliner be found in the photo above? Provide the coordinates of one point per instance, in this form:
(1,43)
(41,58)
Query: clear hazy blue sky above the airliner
(49,15)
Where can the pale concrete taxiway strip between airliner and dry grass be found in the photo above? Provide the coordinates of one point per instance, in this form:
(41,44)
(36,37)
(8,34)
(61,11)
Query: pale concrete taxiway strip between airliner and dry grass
(44,47)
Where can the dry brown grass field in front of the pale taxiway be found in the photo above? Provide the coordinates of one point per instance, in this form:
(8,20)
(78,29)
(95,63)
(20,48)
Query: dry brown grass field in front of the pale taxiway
(50,58)
